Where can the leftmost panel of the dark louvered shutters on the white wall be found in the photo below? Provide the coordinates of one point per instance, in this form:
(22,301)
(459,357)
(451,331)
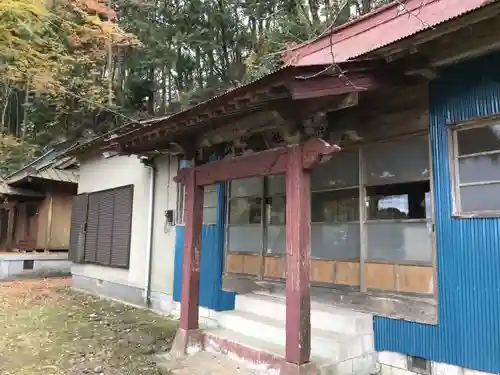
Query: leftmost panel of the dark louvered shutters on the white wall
(77,232)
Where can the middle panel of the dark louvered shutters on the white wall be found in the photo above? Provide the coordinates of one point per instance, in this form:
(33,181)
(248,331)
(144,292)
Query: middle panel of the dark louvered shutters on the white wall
(105,230)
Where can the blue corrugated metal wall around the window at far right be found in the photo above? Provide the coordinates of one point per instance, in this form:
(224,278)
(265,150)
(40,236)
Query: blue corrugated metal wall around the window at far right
(468,250)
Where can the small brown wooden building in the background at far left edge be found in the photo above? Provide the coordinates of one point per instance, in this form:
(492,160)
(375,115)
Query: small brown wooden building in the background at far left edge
(37,201)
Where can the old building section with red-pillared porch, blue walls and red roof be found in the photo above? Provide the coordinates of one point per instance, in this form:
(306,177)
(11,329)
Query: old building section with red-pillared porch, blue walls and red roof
(340,214)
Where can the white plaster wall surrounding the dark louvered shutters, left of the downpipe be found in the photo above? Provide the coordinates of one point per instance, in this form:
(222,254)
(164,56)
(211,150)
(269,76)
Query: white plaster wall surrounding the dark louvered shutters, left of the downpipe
(100,174)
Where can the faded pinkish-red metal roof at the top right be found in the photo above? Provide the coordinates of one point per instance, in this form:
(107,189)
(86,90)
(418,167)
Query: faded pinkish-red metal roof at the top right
(379,28)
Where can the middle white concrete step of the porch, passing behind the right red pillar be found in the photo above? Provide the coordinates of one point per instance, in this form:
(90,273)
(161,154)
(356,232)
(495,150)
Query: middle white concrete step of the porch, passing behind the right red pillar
(331,346)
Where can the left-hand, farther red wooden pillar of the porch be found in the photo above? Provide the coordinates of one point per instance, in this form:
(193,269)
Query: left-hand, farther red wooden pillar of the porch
(192,247)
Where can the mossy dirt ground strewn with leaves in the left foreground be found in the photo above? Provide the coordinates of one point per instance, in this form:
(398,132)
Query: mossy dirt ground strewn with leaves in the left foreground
(48,329)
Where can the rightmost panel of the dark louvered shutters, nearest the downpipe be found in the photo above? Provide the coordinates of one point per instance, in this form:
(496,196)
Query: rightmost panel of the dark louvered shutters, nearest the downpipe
(122,226)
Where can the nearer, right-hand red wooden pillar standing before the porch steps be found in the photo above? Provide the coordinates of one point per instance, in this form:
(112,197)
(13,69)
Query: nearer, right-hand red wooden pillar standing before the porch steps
(298,259)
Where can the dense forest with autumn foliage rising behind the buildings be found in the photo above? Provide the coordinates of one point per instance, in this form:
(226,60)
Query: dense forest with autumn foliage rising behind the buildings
(79,68)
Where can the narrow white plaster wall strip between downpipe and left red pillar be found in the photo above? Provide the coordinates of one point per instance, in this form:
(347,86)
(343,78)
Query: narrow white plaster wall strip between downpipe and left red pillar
(162,269)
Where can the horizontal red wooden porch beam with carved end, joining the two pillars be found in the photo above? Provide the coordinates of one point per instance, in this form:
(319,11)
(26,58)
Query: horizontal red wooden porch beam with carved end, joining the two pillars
(263,163)
